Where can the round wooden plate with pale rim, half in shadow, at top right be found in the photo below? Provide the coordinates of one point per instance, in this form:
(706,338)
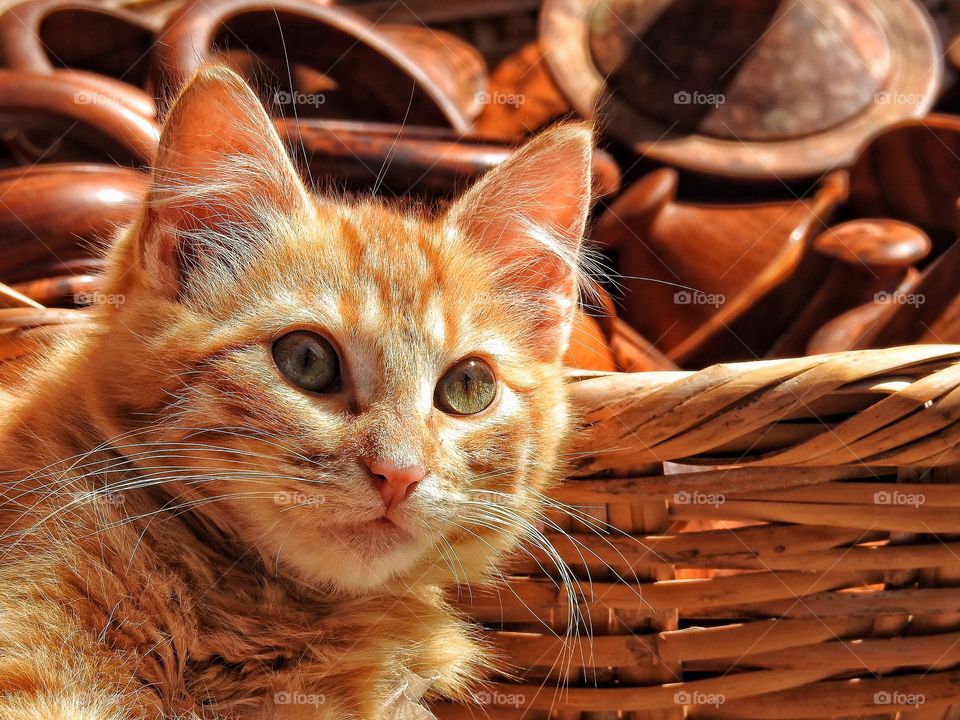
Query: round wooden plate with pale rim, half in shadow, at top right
(754,90)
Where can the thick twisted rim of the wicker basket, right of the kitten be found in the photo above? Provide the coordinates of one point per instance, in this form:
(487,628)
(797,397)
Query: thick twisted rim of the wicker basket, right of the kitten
(898,408)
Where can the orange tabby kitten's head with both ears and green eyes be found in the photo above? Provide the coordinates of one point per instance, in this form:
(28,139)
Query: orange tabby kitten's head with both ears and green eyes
(357,394)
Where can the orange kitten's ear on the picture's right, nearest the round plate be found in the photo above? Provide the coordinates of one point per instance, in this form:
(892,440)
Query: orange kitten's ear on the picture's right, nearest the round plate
(530,213)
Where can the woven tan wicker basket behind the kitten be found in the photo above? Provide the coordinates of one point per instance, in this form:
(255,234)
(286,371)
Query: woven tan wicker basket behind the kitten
(801,560)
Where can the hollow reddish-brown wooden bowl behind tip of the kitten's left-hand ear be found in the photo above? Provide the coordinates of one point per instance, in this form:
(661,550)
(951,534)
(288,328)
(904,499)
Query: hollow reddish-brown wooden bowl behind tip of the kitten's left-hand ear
(331,55)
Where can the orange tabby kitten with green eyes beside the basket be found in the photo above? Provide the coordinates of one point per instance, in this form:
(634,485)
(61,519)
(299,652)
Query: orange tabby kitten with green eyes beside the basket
(242,492)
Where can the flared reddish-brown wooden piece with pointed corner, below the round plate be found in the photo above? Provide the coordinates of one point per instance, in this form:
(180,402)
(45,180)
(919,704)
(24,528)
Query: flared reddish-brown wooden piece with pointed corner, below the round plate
(690,271)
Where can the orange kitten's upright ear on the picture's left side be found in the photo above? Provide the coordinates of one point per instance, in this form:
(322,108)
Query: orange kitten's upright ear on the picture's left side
(221,182)
